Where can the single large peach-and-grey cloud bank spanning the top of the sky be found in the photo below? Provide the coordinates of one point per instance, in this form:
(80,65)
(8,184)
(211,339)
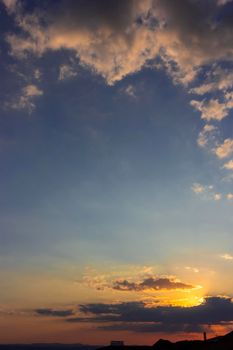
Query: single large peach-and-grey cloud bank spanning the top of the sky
(118,38)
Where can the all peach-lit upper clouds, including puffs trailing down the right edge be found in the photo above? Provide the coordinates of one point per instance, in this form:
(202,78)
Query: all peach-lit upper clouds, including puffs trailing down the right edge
(191,40)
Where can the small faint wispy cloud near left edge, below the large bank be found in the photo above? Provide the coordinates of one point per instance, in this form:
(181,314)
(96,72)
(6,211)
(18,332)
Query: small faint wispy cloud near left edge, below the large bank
(25,100)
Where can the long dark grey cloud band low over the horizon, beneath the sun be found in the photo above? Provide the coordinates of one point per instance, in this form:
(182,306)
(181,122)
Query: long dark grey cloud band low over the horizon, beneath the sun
(134,315)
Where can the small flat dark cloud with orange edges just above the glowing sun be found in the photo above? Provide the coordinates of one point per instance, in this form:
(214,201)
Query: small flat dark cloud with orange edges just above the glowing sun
(151,283)
